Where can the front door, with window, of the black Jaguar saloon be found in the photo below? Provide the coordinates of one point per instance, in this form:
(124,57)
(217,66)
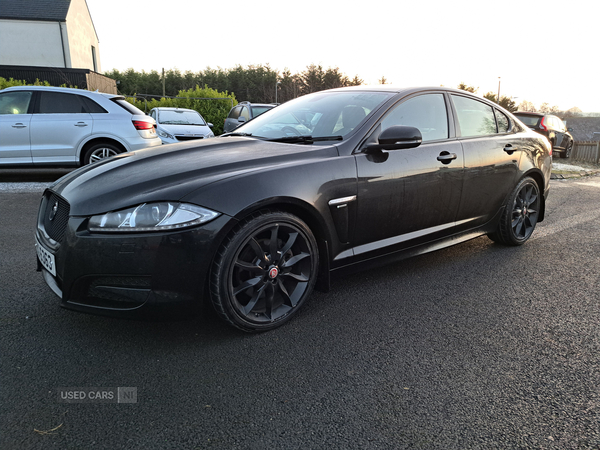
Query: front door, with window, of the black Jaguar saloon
(409,196)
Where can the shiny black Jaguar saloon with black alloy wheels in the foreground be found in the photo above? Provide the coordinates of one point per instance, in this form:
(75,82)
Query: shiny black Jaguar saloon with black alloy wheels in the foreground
(253,220)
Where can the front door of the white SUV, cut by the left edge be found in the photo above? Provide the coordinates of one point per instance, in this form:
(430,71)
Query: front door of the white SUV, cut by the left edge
(15,118)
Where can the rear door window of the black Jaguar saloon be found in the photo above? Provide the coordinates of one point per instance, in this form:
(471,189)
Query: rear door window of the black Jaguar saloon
(475,118)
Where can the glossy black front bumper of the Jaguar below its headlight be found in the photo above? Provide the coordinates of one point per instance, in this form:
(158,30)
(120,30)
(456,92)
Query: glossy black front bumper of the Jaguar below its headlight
(131,275)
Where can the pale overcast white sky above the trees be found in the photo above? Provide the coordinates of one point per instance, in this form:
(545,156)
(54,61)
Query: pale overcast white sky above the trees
(539,51)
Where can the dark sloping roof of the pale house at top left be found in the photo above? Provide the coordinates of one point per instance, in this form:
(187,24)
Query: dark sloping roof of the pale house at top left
(49,10)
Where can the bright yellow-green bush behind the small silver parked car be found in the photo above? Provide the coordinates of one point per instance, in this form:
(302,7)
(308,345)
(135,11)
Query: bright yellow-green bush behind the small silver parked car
(212,104)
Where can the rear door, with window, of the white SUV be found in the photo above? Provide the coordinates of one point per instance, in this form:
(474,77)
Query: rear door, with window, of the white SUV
(59,125)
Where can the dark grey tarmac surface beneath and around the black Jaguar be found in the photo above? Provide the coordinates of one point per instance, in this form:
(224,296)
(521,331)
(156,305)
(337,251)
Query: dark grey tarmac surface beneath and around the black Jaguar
(477,346)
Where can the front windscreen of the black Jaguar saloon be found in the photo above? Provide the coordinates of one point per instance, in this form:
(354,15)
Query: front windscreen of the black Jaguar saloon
(318,115)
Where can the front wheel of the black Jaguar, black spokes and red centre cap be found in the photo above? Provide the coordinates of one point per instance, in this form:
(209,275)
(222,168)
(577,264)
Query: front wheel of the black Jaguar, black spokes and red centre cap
(264,271)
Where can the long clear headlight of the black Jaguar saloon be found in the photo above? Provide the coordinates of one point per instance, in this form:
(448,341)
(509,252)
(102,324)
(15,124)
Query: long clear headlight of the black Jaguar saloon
(161,216)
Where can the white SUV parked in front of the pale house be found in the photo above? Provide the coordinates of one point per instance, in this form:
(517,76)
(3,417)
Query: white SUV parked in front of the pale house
(42,125)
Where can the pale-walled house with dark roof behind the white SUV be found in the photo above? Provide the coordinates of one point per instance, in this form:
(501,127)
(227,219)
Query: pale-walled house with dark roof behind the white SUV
(50,38)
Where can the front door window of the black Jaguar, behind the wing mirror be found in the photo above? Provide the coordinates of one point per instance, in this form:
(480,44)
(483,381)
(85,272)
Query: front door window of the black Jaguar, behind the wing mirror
(426,112)
